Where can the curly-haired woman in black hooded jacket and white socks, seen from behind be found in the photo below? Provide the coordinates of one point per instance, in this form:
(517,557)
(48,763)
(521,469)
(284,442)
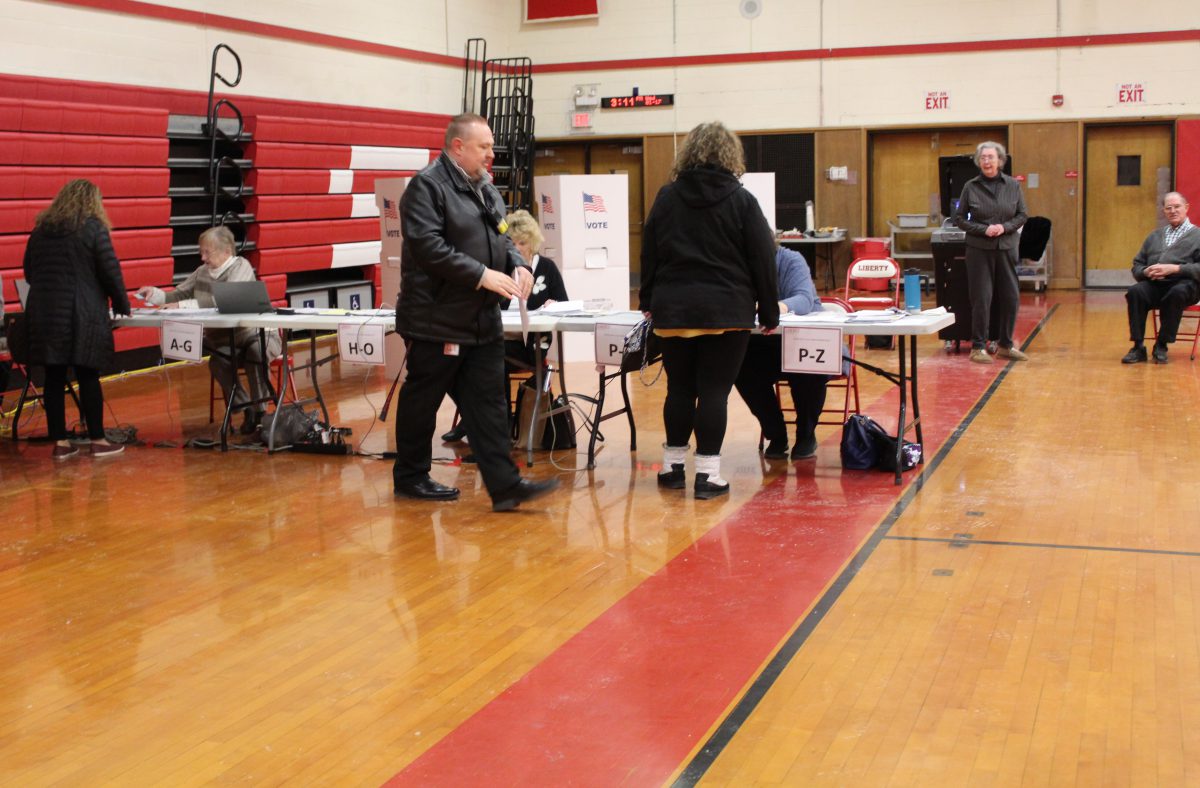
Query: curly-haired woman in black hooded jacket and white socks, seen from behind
(709,267)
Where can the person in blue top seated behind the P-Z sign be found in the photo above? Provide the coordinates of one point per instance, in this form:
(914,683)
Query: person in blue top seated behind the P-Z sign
(763,368)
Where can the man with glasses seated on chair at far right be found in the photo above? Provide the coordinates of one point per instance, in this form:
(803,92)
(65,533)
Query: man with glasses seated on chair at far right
(1167,269)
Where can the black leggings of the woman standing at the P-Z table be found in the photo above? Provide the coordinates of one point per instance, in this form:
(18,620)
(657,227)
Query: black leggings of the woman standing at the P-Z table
(700,375)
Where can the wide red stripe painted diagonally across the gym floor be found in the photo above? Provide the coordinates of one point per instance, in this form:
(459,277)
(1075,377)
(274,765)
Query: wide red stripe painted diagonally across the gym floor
(632,695)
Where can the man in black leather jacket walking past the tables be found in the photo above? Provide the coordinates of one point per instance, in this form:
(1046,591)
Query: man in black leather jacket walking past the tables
(457,266)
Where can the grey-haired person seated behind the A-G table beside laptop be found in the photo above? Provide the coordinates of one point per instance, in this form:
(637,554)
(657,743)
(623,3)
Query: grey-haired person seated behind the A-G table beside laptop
(221,263)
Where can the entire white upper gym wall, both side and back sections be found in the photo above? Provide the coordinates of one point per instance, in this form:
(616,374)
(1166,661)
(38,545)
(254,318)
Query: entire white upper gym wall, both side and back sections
(69,43)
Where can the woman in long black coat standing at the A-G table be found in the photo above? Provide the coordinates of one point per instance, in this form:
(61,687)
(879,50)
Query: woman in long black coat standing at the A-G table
(73,275)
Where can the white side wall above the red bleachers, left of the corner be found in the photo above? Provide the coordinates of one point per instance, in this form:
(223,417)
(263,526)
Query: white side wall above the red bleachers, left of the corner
(69,43)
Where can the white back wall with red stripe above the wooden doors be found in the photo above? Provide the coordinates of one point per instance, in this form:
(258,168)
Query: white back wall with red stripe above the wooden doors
(868,92)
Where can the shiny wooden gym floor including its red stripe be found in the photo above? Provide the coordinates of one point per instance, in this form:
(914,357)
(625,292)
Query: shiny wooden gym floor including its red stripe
(1024,611)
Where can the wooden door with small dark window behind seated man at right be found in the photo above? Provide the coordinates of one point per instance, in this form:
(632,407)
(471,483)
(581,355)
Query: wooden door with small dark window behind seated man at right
(1129,172)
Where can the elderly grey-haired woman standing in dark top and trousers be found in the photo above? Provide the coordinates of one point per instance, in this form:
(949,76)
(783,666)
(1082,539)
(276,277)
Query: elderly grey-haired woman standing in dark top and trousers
(992,210)
